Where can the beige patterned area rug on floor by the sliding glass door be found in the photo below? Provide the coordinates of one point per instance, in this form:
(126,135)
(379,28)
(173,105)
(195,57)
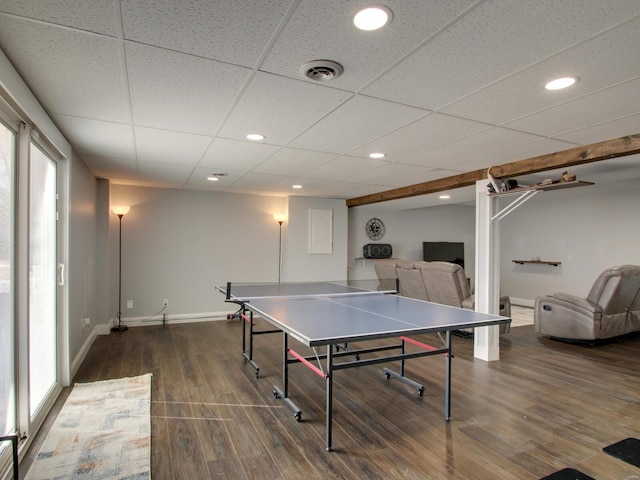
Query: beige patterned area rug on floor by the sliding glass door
(102,432)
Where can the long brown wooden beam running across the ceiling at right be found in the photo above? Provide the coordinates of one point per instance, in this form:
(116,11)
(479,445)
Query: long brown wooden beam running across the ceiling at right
(595,152)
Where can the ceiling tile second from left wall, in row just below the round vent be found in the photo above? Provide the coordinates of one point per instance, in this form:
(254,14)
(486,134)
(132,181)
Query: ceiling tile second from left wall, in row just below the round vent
(179,92)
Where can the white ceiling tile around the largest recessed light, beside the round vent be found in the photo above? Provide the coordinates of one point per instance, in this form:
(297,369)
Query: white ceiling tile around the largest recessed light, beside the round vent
(323,30)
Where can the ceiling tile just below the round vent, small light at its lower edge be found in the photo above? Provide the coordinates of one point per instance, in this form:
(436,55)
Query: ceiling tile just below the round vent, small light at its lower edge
(280,108)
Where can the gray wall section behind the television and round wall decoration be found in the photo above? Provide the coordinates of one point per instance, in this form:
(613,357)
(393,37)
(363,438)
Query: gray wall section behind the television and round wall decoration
(406,231)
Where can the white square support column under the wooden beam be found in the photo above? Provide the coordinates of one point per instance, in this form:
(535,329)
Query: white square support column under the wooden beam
(487,281)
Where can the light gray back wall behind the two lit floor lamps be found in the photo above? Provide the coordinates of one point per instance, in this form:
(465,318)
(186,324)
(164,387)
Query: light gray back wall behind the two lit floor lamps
(180,244)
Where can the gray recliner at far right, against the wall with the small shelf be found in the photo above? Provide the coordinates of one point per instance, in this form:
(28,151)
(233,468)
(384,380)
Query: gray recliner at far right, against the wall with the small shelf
(611,309)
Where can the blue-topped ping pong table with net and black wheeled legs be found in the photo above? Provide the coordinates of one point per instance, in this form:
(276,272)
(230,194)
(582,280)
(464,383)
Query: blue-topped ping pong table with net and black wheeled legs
(336,315)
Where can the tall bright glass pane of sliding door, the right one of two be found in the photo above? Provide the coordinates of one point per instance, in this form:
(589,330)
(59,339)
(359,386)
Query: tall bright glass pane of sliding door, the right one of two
(42,277)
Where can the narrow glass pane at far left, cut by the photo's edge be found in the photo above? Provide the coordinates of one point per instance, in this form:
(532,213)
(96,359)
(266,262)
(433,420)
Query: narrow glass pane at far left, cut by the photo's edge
(7,352)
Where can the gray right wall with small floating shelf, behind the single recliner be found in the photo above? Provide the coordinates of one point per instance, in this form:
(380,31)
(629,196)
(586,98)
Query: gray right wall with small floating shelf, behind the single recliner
(588,229)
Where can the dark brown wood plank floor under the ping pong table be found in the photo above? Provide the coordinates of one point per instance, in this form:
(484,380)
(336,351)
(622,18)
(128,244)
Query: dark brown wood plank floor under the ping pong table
(544,406)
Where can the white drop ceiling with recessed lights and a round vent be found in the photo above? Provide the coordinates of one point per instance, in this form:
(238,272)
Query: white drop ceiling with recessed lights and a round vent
(162,94)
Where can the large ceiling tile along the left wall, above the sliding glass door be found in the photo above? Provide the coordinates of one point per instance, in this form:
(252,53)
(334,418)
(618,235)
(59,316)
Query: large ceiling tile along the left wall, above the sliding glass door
(67,68)
